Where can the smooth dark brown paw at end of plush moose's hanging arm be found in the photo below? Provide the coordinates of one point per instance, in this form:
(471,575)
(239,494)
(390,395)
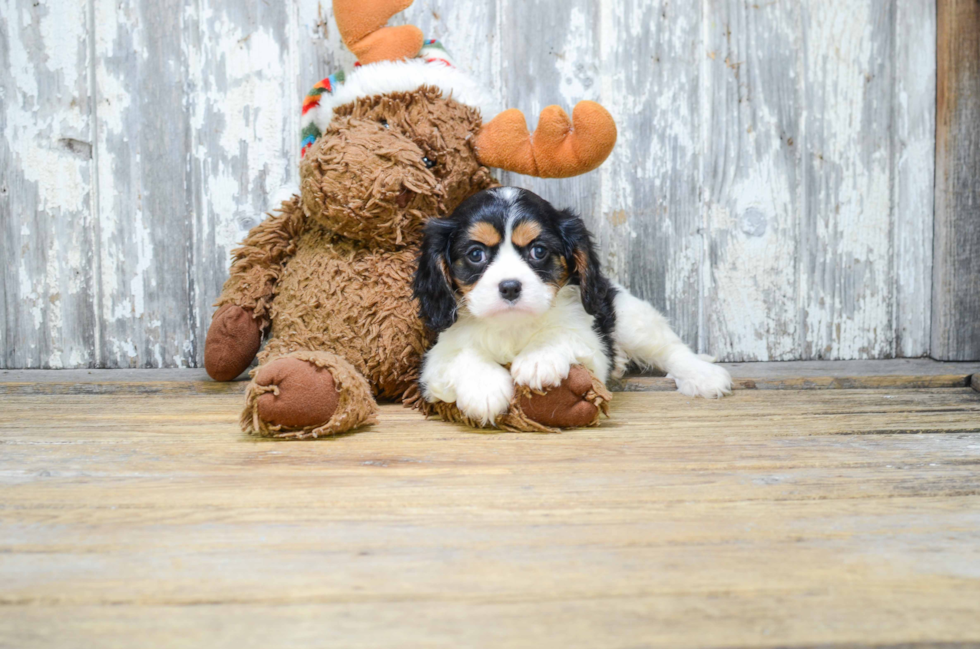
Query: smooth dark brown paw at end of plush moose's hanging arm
(232,343)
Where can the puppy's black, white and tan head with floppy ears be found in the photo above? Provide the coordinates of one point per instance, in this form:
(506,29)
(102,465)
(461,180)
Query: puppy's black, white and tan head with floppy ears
(504,253)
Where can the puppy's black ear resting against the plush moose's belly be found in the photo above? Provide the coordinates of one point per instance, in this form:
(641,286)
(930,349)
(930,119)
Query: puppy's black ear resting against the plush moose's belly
(433,286)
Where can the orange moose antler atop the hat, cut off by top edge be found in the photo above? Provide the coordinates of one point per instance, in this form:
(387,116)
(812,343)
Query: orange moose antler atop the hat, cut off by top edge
(362,26)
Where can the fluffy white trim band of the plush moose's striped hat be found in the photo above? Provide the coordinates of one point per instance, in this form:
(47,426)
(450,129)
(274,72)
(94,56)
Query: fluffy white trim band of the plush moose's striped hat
(400,76)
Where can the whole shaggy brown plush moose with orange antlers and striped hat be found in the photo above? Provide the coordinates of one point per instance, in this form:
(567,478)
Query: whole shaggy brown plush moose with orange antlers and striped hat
(327,279)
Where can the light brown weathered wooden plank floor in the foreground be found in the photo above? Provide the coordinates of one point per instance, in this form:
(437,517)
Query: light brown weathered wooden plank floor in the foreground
(773,518)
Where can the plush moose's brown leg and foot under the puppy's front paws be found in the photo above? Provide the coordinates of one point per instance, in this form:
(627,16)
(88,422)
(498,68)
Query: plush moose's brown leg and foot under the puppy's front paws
(578,402)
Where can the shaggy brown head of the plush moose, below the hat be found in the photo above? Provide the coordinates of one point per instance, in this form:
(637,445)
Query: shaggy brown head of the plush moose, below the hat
(373,150)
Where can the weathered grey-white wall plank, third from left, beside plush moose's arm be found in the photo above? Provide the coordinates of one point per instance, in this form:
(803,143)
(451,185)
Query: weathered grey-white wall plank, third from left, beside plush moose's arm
(245,121)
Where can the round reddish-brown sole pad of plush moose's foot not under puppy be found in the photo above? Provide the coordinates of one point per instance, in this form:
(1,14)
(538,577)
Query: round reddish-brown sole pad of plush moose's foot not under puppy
(304,395)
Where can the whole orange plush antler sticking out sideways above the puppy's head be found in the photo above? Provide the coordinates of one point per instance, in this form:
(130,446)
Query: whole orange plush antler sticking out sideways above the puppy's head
(560,147)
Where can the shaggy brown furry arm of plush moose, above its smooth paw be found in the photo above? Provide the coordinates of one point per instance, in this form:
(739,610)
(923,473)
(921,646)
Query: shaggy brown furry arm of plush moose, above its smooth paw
(258,263)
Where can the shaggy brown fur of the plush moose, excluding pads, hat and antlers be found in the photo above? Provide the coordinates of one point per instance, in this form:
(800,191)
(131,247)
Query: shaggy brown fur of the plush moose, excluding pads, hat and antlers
(328,278)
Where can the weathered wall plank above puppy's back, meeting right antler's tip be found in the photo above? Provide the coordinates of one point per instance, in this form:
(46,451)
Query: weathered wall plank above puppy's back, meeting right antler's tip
(650,227)
